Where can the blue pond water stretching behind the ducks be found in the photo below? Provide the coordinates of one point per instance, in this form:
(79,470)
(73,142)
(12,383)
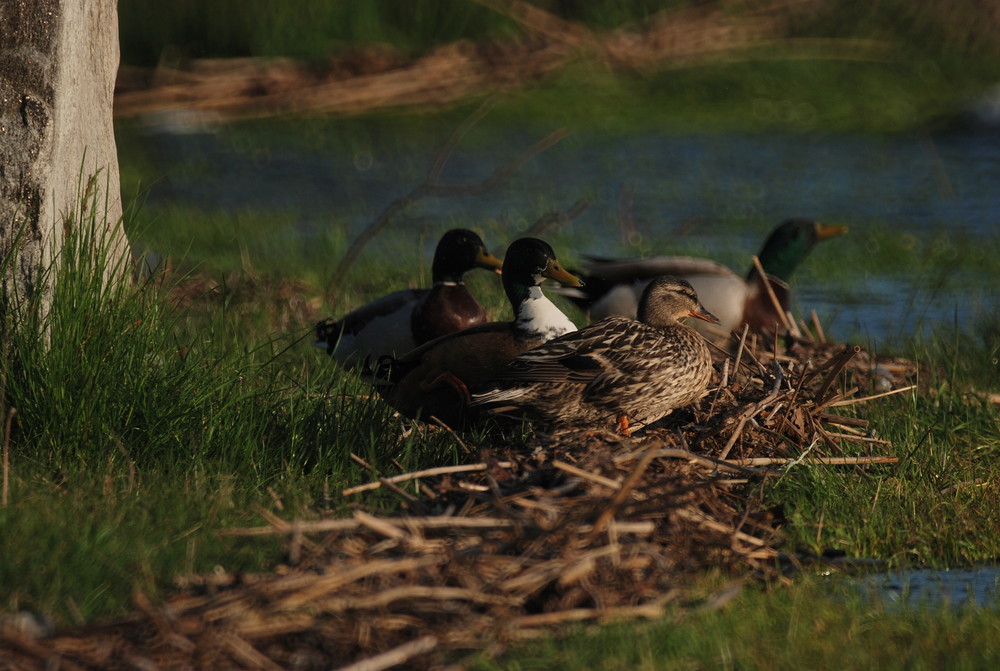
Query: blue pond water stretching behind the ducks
(716,194)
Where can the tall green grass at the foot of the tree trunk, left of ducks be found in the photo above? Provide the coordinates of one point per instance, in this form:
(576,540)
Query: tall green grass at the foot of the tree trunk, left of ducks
(141,429)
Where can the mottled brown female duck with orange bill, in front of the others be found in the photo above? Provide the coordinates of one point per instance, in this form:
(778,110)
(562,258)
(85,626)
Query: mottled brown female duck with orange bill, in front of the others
(617,370)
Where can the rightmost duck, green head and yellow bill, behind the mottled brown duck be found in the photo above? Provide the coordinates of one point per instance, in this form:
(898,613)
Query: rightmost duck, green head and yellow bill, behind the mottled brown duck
(614,287)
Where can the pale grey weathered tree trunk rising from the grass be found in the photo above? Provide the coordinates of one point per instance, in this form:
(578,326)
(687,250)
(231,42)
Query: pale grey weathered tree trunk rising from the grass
(58,62)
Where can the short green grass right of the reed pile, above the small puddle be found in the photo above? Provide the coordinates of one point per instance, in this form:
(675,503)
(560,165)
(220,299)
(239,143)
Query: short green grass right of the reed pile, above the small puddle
(939,506)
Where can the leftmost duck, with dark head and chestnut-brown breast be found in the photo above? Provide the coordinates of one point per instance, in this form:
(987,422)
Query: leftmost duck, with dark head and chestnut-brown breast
(398,322)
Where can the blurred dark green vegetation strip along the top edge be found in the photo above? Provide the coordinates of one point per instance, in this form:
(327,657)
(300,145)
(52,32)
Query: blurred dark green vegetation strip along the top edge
(316,30)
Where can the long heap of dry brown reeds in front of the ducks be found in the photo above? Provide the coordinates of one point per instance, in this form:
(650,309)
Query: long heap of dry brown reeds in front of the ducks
(576,526)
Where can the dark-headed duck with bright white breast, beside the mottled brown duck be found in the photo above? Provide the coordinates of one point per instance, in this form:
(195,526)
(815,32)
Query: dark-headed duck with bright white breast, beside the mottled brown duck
(433,379)
